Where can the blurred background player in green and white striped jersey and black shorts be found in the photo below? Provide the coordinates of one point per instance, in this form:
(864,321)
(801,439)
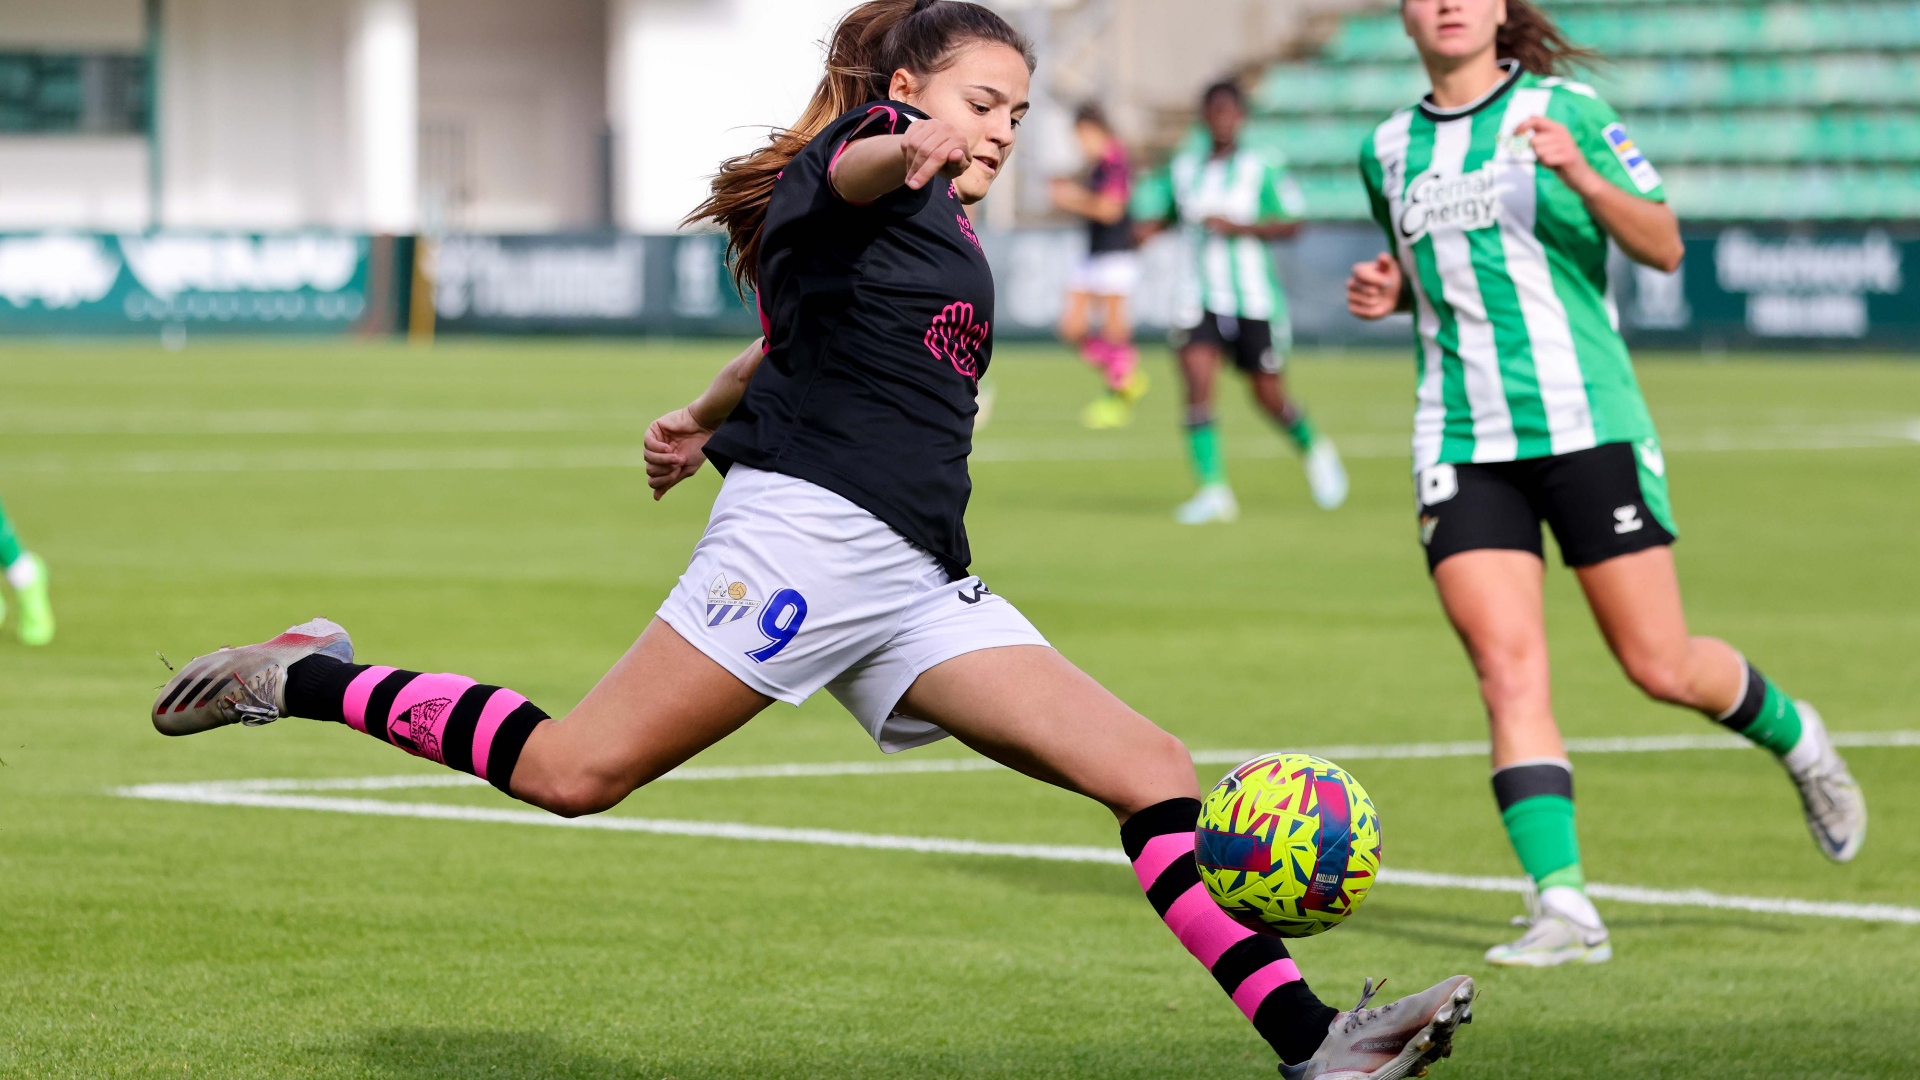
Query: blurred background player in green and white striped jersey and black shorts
(1234,203)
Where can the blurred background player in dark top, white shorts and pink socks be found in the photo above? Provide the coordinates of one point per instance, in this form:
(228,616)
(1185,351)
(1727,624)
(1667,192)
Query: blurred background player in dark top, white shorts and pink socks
(1103,282)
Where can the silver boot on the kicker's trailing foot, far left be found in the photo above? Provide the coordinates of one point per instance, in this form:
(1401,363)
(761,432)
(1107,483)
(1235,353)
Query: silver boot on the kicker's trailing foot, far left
(247,685)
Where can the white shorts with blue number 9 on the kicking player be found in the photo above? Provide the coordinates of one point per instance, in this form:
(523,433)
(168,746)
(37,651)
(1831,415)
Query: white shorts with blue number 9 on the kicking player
(794,589)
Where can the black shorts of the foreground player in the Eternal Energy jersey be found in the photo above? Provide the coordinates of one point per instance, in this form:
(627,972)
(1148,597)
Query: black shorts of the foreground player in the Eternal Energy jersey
(1602,503)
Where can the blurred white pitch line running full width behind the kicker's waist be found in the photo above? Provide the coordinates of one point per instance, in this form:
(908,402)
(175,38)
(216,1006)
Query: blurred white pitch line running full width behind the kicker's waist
(492,458)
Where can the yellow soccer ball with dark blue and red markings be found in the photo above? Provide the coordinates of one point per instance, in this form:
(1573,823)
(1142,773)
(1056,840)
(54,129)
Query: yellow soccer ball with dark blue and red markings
(1289,845)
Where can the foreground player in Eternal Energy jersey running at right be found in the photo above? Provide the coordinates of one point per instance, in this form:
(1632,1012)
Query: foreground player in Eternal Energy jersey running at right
(1499,195)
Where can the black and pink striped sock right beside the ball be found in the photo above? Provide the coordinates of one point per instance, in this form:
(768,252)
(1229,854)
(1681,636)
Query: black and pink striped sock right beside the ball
(1251,968)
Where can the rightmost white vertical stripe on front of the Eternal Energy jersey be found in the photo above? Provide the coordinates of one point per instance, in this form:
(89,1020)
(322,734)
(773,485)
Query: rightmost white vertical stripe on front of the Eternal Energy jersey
(1556,362)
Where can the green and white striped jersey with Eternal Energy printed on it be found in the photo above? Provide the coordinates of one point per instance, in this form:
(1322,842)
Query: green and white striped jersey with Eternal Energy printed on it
(1520,343)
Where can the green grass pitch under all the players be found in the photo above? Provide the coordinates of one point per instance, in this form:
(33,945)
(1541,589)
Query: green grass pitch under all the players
(468,510)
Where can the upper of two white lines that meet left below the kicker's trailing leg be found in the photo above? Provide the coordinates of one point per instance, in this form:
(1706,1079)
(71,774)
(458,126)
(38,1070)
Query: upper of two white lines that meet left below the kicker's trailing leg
(1380,752)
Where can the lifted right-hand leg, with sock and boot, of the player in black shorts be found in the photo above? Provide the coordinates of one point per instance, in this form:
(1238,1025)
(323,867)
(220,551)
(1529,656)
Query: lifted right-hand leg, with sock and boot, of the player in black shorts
(1637,602)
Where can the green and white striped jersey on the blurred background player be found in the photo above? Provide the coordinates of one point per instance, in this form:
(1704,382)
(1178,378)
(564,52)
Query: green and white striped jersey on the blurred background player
(1232,276)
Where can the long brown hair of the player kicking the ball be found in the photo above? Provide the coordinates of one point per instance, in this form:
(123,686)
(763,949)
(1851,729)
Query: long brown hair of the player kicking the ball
(869,45)
